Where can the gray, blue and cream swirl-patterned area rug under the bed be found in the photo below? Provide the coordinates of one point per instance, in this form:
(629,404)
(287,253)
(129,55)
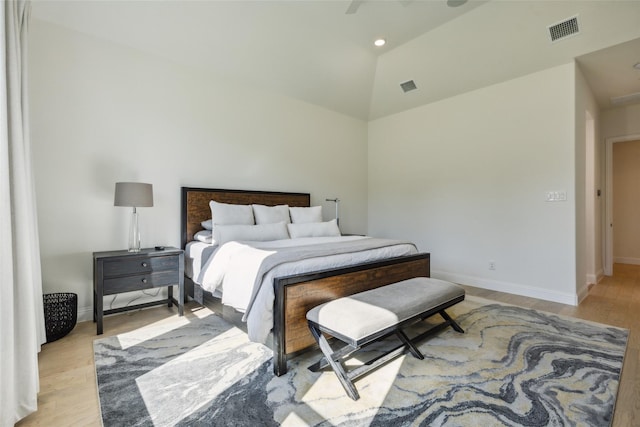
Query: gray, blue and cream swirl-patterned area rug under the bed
(512,366)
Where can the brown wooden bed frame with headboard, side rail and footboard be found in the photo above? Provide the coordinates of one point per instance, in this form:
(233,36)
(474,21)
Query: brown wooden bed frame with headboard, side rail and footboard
(297,294)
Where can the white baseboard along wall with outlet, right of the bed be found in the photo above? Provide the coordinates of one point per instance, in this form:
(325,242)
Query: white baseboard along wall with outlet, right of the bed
(510,288)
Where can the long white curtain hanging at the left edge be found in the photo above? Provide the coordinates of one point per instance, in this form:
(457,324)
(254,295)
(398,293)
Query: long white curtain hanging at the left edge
(21,313)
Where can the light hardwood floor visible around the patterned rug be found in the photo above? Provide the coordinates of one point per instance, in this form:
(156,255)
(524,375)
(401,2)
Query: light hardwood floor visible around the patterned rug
(68,394)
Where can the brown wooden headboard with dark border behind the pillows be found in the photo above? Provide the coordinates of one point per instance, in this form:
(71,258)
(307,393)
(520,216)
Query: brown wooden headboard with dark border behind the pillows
(195,204)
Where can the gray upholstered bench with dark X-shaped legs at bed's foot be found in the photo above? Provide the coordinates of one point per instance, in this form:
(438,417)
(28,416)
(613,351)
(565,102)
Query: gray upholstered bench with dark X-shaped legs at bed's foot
(365,317)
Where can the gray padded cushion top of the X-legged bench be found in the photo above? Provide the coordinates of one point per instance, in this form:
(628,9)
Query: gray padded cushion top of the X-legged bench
(366,313)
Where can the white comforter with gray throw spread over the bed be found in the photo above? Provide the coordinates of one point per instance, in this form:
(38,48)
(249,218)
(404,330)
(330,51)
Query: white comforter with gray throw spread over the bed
(244,271)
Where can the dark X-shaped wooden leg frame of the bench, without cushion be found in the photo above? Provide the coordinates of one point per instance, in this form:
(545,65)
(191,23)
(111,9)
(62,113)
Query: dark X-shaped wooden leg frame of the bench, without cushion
(334,358)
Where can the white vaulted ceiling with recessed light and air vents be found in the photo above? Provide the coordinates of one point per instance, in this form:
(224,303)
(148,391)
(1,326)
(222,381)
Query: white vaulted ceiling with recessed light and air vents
(317,52)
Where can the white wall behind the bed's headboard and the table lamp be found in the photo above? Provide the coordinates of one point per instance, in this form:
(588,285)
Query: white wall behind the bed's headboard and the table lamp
(102,113)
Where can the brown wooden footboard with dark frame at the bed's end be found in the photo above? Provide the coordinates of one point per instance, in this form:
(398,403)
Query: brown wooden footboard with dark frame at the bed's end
(295,295)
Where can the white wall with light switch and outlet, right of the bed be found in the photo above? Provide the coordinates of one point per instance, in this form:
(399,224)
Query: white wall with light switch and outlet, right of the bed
(466,178)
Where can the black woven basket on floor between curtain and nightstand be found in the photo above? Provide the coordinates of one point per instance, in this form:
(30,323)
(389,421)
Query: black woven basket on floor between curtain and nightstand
(60,314)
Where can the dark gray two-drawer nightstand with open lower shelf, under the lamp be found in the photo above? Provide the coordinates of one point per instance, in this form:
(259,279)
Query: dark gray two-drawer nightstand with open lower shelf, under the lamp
(123,271)
